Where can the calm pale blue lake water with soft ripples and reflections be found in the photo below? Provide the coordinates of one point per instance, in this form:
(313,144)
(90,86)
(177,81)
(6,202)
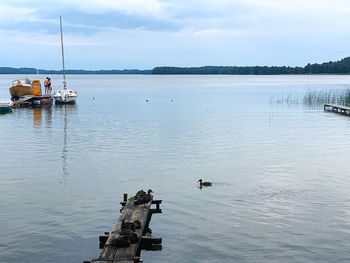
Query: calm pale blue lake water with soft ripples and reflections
(280,172)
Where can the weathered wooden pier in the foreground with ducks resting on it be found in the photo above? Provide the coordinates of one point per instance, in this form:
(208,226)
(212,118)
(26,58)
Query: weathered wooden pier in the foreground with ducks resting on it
(130,234)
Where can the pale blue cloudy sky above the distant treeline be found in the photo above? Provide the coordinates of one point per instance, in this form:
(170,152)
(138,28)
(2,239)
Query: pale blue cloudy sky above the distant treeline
(142,34)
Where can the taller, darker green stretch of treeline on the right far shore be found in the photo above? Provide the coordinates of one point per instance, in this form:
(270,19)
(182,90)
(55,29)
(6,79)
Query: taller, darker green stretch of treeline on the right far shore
(338,67)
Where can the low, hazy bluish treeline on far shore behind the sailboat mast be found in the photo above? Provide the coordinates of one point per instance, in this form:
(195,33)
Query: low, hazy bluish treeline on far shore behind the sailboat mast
(8,70)
